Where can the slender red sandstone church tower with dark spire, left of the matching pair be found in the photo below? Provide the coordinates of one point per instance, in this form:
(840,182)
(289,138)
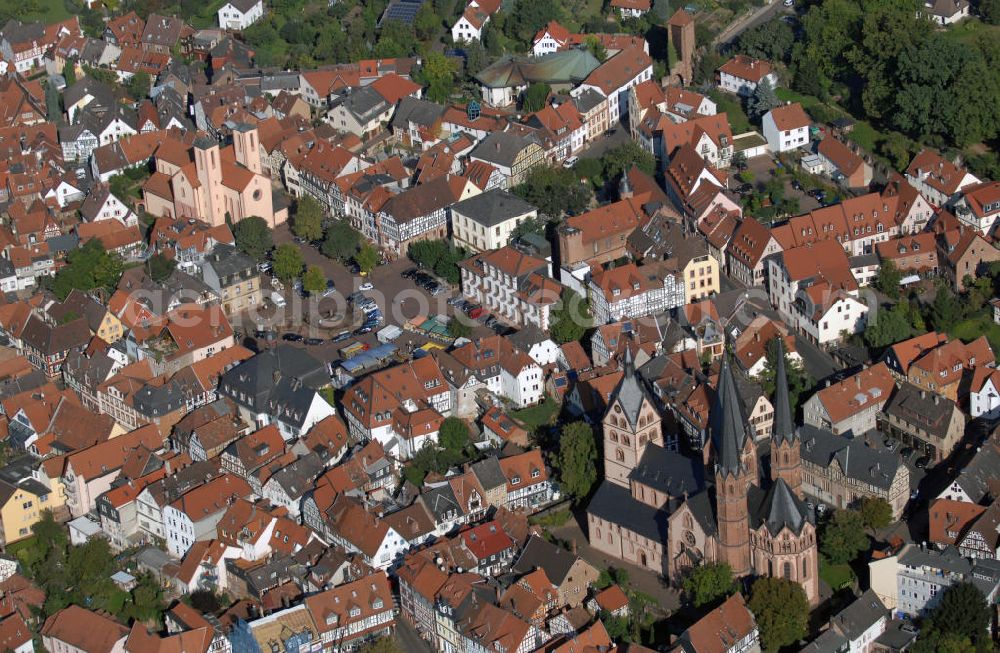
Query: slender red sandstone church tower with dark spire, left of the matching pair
(735,471)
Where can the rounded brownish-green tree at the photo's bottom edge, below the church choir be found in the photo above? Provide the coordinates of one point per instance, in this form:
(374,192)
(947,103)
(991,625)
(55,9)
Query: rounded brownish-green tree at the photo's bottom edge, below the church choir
(782,612)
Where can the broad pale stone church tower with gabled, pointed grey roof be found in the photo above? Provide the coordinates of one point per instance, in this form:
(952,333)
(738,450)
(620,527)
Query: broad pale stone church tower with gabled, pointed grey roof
(631,423)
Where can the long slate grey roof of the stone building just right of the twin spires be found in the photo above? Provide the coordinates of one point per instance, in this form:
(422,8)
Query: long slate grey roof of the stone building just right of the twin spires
(859,462)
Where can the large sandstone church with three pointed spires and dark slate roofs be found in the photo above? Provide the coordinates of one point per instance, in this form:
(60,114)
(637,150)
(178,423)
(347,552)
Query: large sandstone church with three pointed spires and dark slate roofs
(656,509)
